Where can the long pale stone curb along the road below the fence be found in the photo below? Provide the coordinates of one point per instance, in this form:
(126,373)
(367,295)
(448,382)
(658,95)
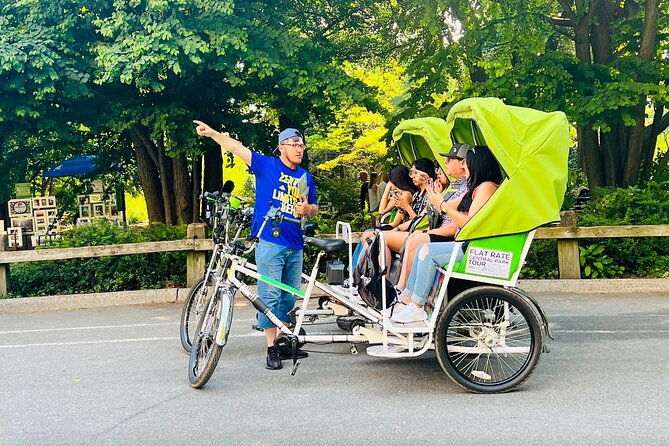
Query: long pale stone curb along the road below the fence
(178,295)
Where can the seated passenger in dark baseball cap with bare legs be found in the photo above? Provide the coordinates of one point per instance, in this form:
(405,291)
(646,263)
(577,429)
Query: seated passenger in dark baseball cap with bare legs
(445,231)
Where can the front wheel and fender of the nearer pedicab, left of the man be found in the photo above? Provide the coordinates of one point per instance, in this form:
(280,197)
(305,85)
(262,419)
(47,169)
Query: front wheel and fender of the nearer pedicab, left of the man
(206,351)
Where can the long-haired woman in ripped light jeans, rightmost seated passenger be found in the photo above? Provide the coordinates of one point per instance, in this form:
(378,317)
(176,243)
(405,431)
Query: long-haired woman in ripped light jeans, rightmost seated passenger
(484,177)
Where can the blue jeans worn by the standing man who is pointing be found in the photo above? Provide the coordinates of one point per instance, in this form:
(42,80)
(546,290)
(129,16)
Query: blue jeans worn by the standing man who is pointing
(283,264)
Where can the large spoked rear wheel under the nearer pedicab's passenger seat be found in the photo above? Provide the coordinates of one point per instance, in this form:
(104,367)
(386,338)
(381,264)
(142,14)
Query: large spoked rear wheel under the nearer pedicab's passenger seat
(488,340)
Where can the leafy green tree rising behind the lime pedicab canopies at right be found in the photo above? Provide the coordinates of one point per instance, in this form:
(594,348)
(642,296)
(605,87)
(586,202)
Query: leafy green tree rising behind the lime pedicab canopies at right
(602,62)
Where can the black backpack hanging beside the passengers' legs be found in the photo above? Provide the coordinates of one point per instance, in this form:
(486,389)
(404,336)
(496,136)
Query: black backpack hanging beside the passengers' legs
(369,278)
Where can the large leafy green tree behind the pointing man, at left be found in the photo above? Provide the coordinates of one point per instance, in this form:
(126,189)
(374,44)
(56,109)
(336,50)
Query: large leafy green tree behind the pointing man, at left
(153,65)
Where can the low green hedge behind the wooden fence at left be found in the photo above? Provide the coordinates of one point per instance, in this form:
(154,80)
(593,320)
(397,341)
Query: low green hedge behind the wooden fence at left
(115,273)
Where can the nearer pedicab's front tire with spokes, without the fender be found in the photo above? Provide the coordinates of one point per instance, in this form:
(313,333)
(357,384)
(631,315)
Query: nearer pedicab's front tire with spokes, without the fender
(205,352)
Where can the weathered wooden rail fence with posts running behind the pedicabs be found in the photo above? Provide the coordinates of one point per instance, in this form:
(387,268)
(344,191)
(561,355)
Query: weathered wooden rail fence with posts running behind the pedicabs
(196,246)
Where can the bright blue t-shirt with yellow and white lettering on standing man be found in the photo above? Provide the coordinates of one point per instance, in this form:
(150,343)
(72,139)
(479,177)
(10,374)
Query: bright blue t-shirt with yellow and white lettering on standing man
(279,185)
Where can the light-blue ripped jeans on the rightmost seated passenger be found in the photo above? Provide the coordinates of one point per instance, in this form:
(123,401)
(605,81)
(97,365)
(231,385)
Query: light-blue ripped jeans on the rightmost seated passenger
(429,257)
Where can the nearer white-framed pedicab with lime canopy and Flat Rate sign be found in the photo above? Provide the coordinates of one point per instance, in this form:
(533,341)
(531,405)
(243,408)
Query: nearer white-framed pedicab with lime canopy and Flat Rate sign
(487,334)
